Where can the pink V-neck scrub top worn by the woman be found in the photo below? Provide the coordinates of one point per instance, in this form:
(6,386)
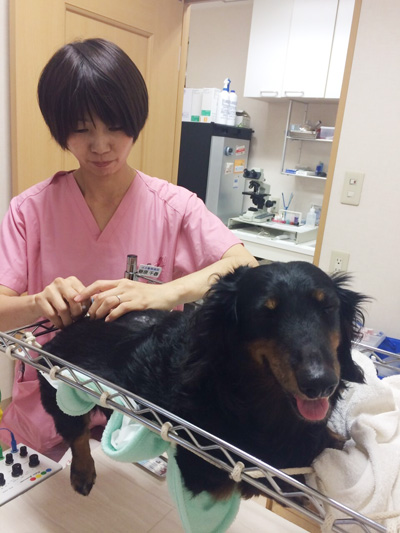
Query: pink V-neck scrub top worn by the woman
(49,231)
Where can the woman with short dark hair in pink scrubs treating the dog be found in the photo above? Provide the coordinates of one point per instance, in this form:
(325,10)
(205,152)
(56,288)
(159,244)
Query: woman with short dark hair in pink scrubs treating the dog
(64,241)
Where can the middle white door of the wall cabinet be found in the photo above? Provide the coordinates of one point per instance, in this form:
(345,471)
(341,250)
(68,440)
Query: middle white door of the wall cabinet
(309,48)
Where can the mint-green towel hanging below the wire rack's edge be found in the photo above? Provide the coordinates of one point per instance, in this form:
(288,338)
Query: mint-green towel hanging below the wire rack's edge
(198,514)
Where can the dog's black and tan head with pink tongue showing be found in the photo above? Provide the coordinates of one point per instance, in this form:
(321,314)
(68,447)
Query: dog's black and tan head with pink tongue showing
(295,322)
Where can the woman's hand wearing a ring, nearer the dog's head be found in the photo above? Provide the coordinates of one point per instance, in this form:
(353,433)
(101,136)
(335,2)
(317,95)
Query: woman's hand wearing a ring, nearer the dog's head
(112,299)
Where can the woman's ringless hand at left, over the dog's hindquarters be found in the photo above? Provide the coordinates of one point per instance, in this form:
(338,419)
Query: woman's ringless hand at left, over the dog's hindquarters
(56,301)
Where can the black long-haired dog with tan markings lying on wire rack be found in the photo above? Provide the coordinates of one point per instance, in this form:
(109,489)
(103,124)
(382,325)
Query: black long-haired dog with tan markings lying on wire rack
(249,366)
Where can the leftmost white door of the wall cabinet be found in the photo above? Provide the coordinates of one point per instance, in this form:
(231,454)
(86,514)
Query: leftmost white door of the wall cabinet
(270,27)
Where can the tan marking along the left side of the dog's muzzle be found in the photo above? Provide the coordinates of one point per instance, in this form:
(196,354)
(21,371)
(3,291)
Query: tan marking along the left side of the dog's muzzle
(267,351)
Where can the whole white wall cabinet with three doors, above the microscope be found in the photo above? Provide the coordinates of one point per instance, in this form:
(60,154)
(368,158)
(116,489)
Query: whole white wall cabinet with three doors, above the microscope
(298,48)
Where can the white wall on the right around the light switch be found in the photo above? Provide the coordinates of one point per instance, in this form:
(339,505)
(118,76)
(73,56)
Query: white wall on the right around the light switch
(369,143)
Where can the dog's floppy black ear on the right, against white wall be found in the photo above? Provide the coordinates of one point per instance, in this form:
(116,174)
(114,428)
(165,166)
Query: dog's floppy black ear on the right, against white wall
(351,321)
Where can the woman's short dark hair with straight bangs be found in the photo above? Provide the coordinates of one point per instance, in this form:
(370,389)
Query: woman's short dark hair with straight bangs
(89,77)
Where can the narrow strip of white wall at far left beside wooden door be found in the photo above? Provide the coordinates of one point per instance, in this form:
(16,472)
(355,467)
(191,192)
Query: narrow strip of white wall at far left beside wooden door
(5,165)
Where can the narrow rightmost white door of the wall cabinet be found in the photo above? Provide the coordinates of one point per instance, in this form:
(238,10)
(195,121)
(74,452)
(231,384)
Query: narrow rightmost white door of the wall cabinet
(339,48)
